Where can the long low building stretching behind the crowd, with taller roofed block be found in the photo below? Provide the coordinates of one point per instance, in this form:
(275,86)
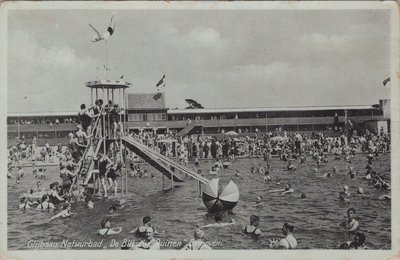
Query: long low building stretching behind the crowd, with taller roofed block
(148,112)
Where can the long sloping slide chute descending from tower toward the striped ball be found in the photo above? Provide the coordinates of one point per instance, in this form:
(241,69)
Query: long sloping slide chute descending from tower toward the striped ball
(159,161)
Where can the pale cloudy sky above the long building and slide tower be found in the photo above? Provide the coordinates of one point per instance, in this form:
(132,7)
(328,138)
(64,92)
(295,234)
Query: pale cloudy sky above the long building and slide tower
(221,58)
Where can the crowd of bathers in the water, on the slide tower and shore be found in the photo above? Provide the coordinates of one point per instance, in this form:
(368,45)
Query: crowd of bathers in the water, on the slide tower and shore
(287,147)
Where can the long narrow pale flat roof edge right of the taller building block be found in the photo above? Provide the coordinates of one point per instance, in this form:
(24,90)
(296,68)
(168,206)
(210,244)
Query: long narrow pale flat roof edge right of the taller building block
(267,109)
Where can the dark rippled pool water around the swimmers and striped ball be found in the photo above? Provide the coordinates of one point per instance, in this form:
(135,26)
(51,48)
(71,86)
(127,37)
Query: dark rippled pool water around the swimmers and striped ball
(175,213)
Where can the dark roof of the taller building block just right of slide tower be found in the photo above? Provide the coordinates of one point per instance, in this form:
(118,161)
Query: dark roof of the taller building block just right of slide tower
(146,101)
